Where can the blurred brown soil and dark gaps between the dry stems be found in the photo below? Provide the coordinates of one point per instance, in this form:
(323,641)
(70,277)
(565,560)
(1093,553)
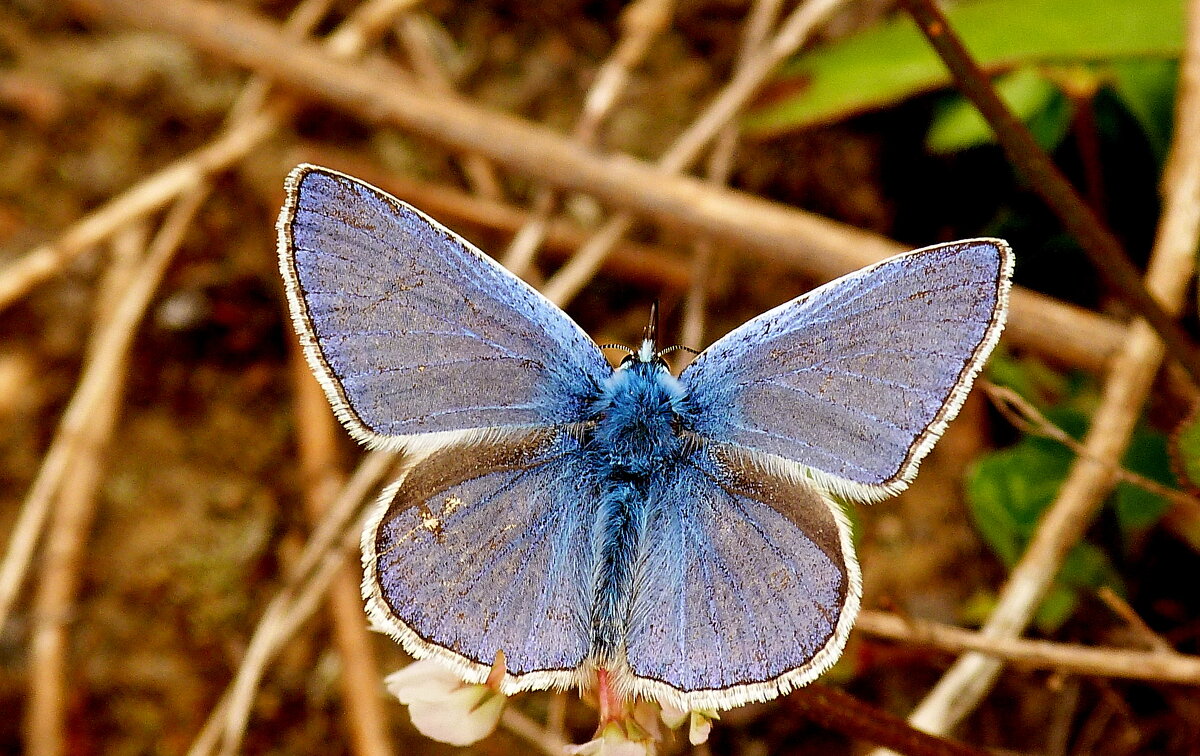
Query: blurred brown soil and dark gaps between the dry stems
(199,507)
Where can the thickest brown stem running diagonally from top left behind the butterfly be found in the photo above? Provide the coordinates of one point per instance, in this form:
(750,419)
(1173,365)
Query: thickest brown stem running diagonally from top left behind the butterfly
(819,247)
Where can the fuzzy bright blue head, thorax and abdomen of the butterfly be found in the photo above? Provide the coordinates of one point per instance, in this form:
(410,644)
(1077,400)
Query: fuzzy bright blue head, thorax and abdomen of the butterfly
(635,440)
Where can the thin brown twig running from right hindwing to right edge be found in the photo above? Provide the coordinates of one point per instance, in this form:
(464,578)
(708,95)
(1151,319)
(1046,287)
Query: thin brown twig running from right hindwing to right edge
(1156,667)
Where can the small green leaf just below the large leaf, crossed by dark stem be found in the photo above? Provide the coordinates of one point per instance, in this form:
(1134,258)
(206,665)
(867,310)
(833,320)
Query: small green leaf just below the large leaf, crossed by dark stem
(958,124)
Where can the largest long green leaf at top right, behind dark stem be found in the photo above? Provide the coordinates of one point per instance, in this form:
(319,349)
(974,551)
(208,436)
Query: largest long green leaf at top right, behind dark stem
(893,62)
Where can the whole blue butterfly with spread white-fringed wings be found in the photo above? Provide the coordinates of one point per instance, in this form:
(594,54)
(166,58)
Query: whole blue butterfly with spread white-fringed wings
(680,533)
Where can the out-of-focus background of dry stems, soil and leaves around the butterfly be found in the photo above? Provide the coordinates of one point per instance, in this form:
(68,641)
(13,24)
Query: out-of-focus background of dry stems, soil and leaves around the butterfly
(165,461)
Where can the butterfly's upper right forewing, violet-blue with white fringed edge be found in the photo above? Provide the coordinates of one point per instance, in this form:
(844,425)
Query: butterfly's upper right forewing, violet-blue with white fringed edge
(856,380)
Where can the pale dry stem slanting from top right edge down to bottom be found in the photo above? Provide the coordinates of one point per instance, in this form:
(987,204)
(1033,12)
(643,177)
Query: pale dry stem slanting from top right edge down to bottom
(1125,392)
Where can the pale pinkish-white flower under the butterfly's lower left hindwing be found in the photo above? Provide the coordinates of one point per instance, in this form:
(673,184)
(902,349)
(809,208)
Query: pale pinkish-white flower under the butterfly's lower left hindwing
(442,706)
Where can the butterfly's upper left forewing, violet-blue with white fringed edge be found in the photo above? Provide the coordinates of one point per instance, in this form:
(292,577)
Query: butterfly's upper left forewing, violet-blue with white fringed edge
(412,331)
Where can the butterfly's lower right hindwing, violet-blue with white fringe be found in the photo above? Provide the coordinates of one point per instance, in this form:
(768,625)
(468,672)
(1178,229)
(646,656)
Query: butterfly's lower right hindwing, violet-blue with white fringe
(747,589)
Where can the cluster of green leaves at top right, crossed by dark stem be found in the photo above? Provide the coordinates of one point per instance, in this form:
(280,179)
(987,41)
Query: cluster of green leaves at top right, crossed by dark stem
(1127,46)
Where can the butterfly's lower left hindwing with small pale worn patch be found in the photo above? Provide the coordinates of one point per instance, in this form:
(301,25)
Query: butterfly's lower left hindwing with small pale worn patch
(484,548)
